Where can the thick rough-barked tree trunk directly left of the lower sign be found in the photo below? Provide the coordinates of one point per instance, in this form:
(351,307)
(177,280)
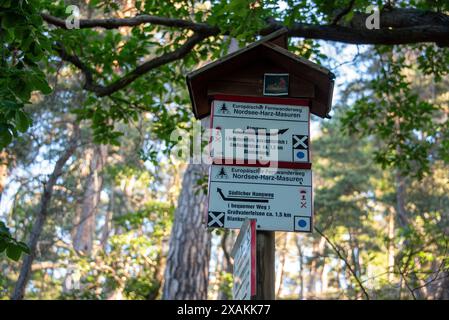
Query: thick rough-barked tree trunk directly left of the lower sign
(187,269)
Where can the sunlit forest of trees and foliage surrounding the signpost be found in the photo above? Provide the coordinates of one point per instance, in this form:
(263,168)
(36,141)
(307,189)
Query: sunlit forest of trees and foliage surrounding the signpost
(93,206)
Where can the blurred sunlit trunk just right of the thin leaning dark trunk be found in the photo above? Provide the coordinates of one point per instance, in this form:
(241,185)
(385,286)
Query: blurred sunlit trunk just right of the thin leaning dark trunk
(84,234)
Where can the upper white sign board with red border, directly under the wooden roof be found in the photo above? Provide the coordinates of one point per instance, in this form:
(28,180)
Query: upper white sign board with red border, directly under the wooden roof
(260,131)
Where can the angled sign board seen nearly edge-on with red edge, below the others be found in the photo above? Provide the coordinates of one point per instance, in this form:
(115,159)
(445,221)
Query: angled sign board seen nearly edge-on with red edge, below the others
(244,255)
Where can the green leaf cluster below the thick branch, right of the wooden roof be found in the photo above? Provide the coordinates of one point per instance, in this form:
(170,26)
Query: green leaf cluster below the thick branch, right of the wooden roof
(404,125)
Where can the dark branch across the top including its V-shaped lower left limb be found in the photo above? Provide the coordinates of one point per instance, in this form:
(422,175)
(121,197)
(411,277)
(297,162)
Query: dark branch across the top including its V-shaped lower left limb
(398,26)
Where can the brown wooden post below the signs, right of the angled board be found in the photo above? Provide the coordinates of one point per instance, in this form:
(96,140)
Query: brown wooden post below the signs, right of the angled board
(265,265)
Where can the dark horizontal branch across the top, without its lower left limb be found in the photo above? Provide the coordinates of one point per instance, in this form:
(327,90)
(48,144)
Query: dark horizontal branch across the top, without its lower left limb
(398,26)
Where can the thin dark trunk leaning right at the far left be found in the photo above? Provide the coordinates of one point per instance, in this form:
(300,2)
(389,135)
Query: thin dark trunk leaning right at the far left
(25,270)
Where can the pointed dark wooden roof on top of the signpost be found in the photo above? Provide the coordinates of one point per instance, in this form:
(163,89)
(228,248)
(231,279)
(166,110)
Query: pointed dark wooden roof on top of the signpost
(269,50)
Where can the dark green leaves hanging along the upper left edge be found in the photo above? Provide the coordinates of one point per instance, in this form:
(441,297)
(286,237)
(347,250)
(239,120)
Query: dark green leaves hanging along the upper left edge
(23,46)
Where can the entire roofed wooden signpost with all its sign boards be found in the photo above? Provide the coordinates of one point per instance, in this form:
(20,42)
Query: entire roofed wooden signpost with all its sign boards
(259,100)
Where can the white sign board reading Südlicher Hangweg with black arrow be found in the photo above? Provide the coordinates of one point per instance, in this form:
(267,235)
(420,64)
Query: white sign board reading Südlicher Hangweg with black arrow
(279,199)
